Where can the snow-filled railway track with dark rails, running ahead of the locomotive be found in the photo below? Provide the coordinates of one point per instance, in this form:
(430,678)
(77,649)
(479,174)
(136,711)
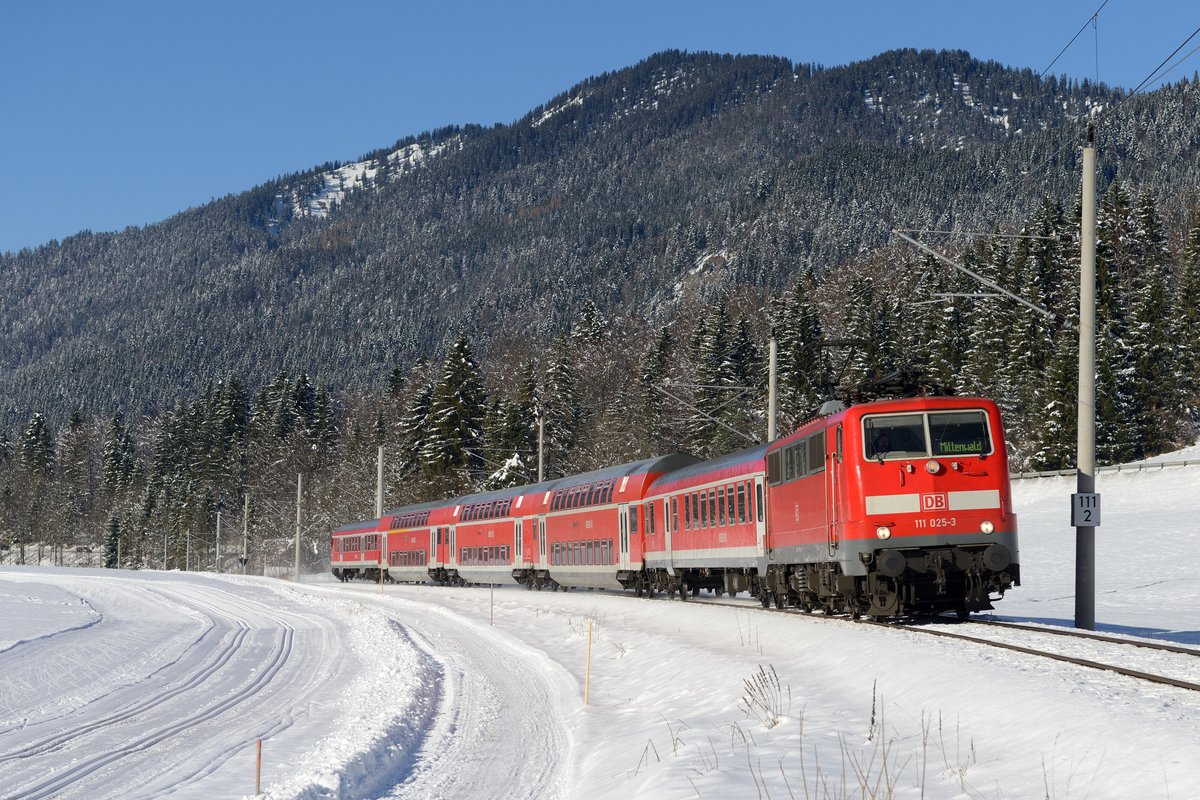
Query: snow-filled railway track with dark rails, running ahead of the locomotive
(1168,665)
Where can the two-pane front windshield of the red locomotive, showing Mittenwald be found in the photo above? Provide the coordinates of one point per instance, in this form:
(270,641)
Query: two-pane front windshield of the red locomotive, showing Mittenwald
(922,436)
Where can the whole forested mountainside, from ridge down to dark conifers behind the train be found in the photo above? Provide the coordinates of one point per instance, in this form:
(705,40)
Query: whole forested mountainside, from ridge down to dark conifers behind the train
(651,224)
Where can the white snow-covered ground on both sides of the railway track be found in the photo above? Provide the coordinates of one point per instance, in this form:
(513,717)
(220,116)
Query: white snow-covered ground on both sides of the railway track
(158,685)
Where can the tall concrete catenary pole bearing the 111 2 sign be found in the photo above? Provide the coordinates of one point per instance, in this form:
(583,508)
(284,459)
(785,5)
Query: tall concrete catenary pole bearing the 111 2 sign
(1085,538)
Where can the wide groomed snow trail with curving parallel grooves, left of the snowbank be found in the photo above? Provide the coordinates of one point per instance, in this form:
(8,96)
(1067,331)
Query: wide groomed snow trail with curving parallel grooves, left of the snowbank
(173,713)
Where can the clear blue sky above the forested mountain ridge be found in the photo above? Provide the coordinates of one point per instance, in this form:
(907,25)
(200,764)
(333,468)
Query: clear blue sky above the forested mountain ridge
(125,112)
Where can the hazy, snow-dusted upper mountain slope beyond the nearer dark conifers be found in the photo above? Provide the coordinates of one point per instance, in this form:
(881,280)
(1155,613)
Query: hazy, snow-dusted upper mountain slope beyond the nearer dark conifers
(613,193)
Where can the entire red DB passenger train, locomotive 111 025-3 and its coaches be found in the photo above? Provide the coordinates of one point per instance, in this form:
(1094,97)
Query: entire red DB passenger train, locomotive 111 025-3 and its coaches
(883,509)
